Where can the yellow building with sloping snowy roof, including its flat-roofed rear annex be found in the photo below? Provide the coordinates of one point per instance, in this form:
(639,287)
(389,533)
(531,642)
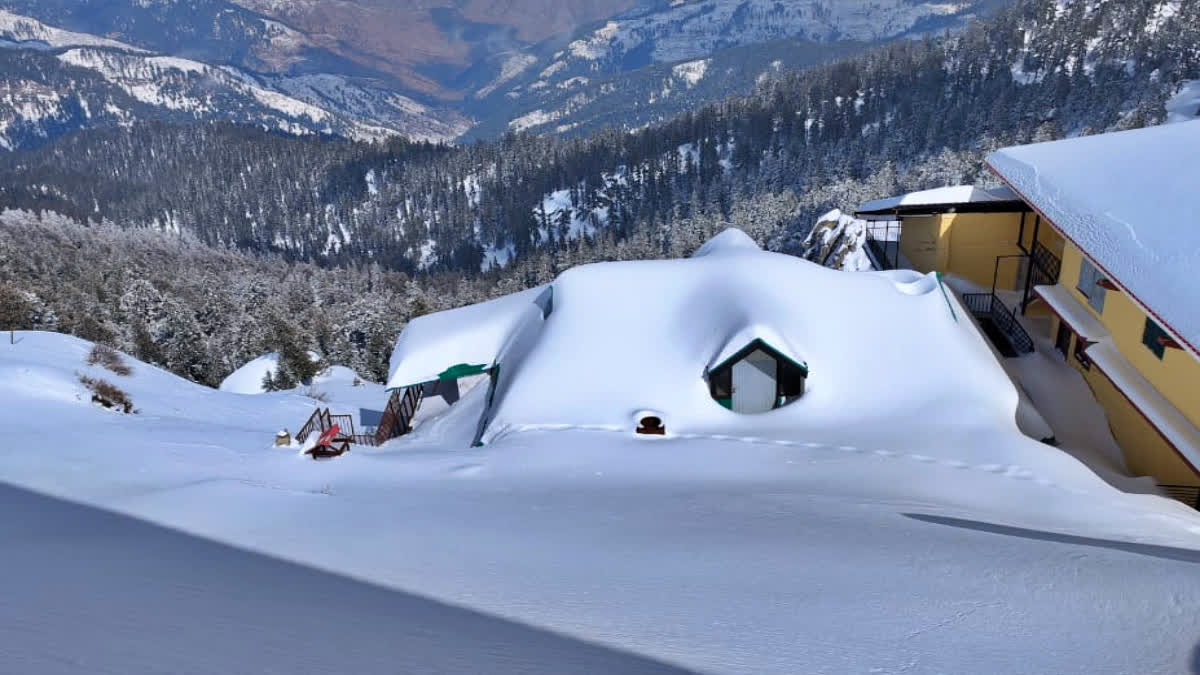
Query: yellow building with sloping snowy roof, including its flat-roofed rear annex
(1108,247)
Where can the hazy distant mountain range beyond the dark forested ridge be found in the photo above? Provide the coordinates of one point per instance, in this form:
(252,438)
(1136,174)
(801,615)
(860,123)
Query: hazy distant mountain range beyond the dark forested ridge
(429,70)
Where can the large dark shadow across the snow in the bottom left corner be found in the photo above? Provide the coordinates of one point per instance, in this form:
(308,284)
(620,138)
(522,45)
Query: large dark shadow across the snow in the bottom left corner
(92,592)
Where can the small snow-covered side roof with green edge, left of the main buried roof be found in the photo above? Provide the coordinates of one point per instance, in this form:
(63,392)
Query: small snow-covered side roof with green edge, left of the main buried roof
(464,342)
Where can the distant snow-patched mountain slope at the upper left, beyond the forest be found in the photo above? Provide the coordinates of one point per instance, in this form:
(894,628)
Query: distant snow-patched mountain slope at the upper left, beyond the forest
(97,67)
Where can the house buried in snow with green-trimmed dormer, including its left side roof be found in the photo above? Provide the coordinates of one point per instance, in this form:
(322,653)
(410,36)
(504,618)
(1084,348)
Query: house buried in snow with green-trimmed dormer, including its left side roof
(719,344)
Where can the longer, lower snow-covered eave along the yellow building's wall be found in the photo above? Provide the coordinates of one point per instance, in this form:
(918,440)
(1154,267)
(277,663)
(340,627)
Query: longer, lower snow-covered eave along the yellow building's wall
(1172,425)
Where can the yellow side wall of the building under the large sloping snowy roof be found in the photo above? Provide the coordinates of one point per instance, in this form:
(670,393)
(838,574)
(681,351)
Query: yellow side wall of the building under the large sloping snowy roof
(1177,378)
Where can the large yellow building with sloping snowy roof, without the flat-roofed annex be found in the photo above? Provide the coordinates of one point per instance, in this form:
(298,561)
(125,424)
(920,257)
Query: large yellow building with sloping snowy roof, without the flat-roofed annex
(1126,302)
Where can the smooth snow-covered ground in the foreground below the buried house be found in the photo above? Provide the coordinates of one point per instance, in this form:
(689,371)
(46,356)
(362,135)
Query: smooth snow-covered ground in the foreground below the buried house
(962,547)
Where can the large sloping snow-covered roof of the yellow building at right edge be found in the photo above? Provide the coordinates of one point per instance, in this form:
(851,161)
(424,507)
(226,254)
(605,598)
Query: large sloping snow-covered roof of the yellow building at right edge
(1130,201)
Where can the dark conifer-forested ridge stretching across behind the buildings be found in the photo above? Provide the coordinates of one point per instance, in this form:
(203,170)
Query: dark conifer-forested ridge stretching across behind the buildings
(907,116)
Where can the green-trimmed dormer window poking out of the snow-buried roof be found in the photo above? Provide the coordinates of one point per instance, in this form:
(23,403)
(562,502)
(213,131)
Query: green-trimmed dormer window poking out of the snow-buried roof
(758,379)
